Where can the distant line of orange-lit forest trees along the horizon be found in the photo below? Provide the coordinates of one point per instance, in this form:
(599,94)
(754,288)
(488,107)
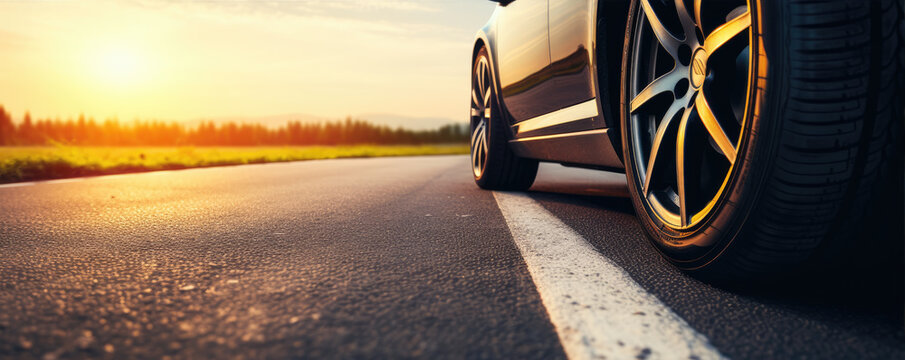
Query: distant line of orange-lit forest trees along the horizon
(88,132)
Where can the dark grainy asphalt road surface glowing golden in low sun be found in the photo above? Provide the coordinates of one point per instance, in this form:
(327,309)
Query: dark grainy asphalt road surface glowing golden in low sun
(360,258)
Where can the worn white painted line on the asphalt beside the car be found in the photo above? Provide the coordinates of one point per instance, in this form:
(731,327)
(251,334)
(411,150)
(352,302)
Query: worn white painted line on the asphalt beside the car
(597,309)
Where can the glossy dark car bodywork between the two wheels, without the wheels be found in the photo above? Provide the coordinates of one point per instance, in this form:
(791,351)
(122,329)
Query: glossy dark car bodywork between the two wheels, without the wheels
(549,64)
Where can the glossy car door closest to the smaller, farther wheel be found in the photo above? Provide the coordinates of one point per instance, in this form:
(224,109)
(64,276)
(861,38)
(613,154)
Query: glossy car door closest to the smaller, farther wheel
(523,51)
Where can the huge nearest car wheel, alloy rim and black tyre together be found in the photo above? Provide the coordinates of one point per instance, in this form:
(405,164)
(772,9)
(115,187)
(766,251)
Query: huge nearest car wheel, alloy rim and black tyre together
(753,135)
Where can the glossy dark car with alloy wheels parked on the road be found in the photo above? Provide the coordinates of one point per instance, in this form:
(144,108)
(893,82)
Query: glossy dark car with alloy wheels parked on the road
(754,135)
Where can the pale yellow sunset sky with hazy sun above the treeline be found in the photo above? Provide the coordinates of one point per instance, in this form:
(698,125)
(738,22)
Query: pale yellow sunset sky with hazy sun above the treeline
(189,60)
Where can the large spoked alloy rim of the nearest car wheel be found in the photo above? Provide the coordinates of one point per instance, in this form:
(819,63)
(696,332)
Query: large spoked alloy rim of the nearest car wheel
(688,97)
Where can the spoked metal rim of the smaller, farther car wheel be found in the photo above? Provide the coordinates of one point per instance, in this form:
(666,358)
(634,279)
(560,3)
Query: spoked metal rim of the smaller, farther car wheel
(480,115)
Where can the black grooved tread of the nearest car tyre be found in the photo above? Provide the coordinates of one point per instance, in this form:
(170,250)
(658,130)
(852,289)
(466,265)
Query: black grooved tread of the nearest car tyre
(838,133)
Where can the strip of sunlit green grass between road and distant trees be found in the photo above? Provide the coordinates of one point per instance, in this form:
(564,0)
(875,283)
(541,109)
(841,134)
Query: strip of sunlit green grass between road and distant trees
(54,162)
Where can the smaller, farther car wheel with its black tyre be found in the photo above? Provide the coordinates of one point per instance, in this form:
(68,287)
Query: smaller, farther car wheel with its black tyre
(493,163)
